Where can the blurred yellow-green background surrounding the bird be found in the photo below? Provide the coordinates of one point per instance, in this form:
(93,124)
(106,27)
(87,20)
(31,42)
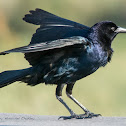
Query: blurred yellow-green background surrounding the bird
(103,92)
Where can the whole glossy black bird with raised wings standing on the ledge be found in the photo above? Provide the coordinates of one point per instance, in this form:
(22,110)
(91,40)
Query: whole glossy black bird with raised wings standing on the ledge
(62,52)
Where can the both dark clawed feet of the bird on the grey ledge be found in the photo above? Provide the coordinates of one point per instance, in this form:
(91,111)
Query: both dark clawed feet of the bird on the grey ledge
(87,115)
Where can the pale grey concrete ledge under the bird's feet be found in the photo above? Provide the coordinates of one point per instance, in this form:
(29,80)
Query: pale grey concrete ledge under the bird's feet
(36,120)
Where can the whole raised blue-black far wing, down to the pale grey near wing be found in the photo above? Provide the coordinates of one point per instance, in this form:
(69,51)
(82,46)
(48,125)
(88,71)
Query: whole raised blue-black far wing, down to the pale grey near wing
(53,27)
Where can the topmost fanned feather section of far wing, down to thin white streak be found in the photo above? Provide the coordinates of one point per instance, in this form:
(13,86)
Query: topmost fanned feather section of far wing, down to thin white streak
(44,18)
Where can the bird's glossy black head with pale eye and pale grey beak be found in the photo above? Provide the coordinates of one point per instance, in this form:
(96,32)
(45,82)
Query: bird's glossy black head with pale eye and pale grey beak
(106,31)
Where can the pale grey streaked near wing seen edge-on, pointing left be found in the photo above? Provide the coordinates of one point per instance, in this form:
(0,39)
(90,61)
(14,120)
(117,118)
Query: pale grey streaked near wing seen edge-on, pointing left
(60,43)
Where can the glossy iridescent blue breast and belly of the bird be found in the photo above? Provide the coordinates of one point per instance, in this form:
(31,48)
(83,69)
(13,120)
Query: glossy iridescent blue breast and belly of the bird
(74,68)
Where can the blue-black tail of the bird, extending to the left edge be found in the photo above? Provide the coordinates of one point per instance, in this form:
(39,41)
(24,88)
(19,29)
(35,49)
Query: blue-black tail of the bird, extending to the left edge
(8,77)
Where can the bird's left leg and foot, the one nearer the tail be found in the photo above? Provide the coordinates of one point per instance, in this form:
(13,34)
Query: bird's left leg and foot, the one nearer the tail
(59,97)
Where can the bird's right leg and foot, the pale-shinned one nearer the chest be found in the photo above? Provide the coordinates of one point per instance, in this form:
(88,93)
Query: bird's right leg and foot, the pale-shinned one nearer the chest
(87,114)
